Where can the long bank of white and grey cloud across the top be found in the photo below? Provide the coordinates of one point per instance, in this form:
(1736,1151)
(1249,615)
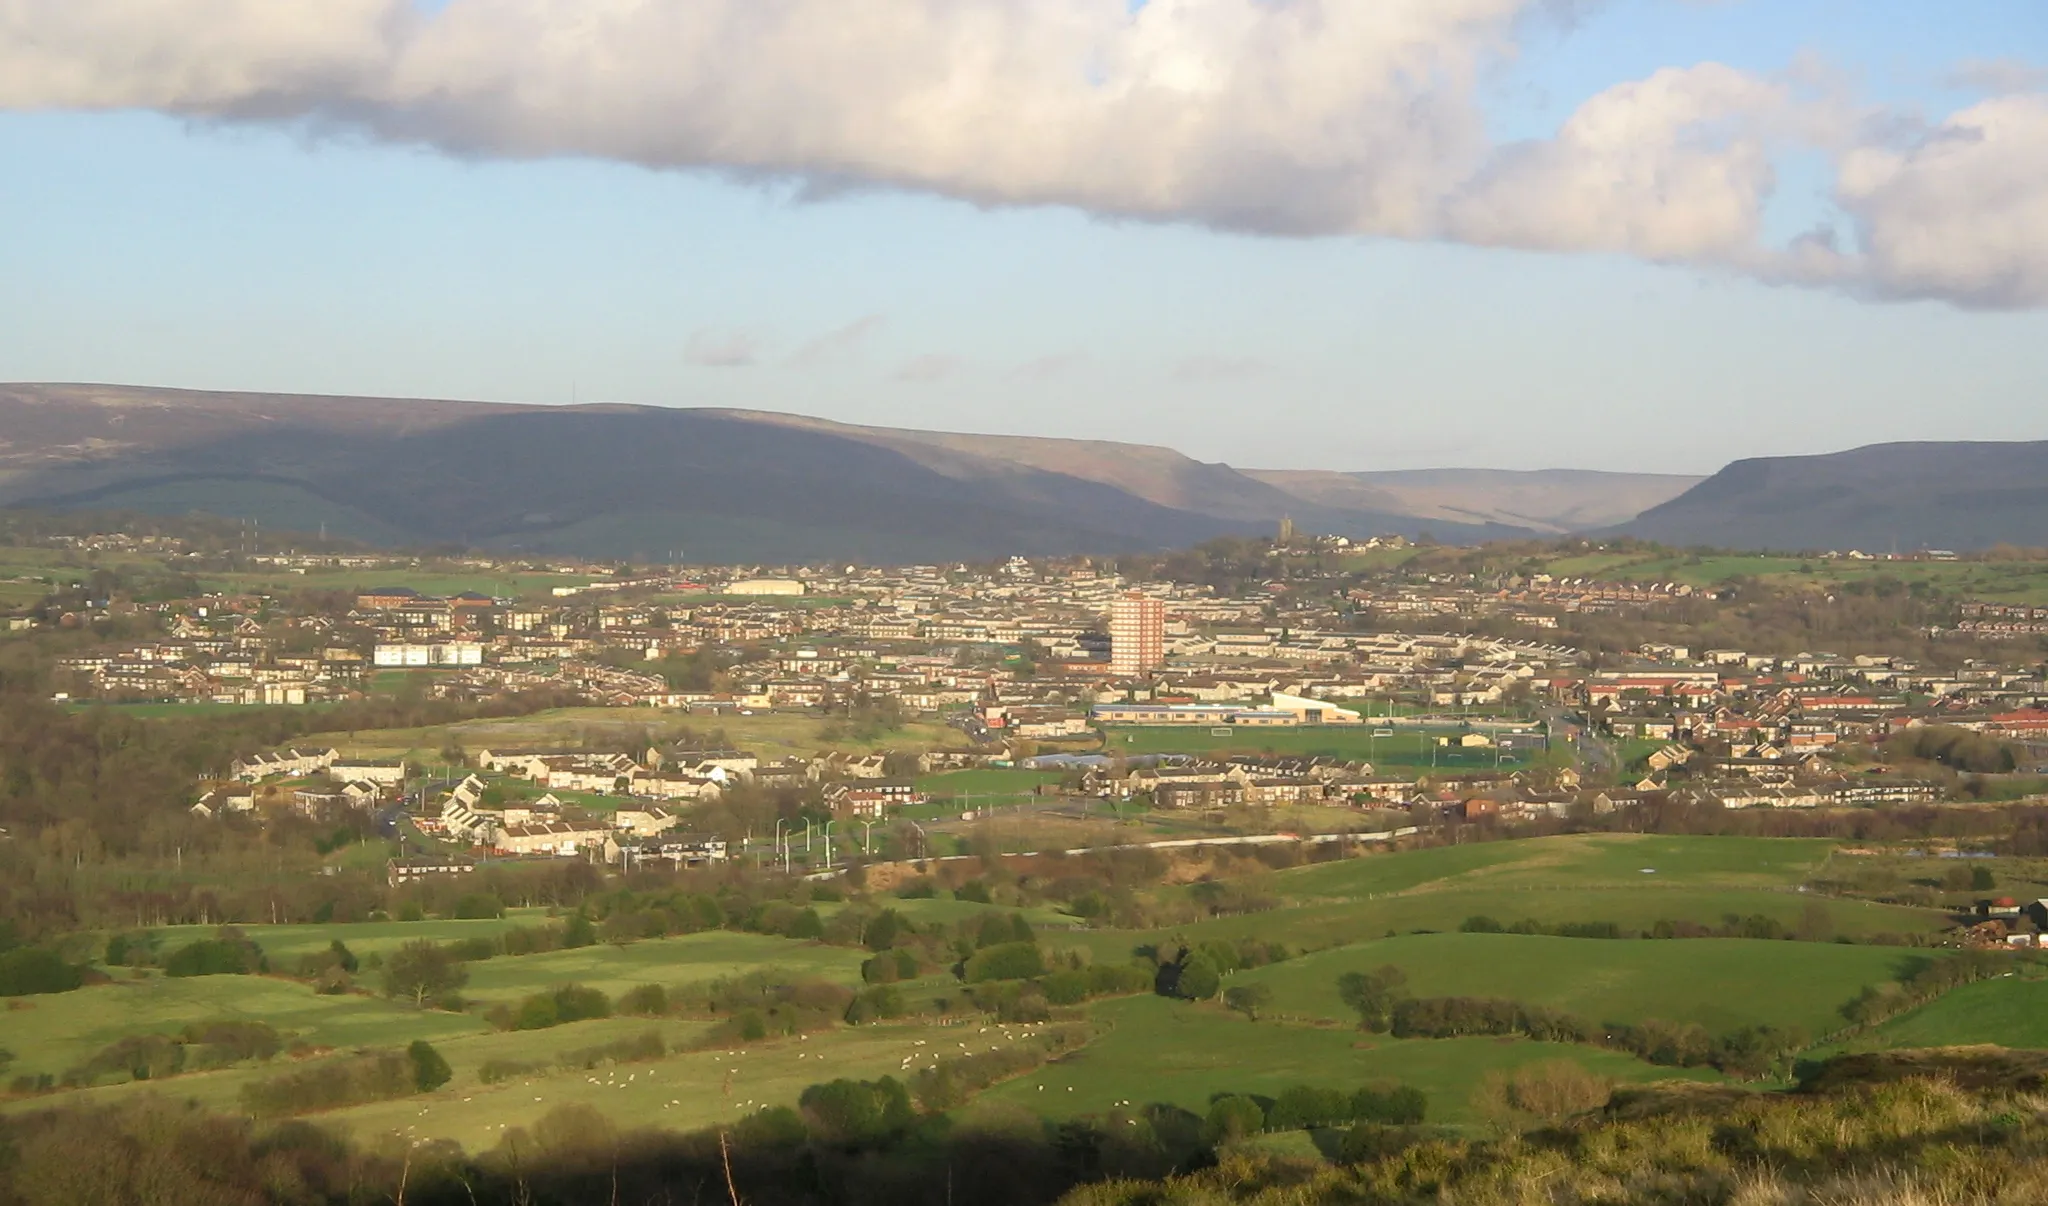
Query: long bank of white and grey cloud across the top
(1291,118)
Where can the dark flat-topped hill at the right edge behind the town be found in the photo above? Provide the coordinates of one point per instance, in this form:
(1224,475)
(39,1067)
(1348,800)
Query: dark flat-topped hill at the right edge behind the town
(1887,497)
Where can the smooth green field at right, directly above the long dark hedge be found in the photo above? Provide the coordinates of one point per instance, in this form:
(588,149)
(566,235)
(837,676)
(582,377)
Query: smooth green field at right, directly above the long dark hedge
(1713,982)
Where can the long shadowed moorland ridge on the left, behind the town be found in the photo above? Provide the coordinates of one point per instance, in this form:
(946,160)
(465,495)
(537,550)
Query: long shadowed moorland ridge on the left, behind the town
(634,482)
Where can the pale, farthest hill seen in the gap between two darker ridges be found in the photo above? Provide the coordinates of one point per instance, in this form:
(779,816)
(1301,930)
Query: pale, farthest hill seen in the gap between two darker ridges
(1547,501)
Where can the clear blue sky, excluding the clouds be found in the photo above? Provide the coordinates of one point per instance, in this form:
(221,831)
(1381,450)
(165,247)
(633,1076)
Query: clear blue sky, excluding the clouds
(155,243)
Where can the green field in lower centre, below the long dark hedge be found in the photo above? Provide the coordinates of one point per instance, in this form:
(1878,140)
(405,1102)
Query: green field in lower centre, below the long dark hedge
(1183,1056)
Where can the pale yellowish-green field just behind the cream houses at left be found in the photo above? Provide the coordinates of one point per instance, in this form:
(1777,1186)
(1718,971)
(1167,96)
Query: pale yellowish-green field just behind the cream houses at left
(767,734)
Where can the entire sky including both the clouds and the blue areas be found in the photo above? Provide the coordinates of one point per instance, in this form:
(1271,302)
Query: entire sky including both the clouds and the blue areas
(1289,234)
